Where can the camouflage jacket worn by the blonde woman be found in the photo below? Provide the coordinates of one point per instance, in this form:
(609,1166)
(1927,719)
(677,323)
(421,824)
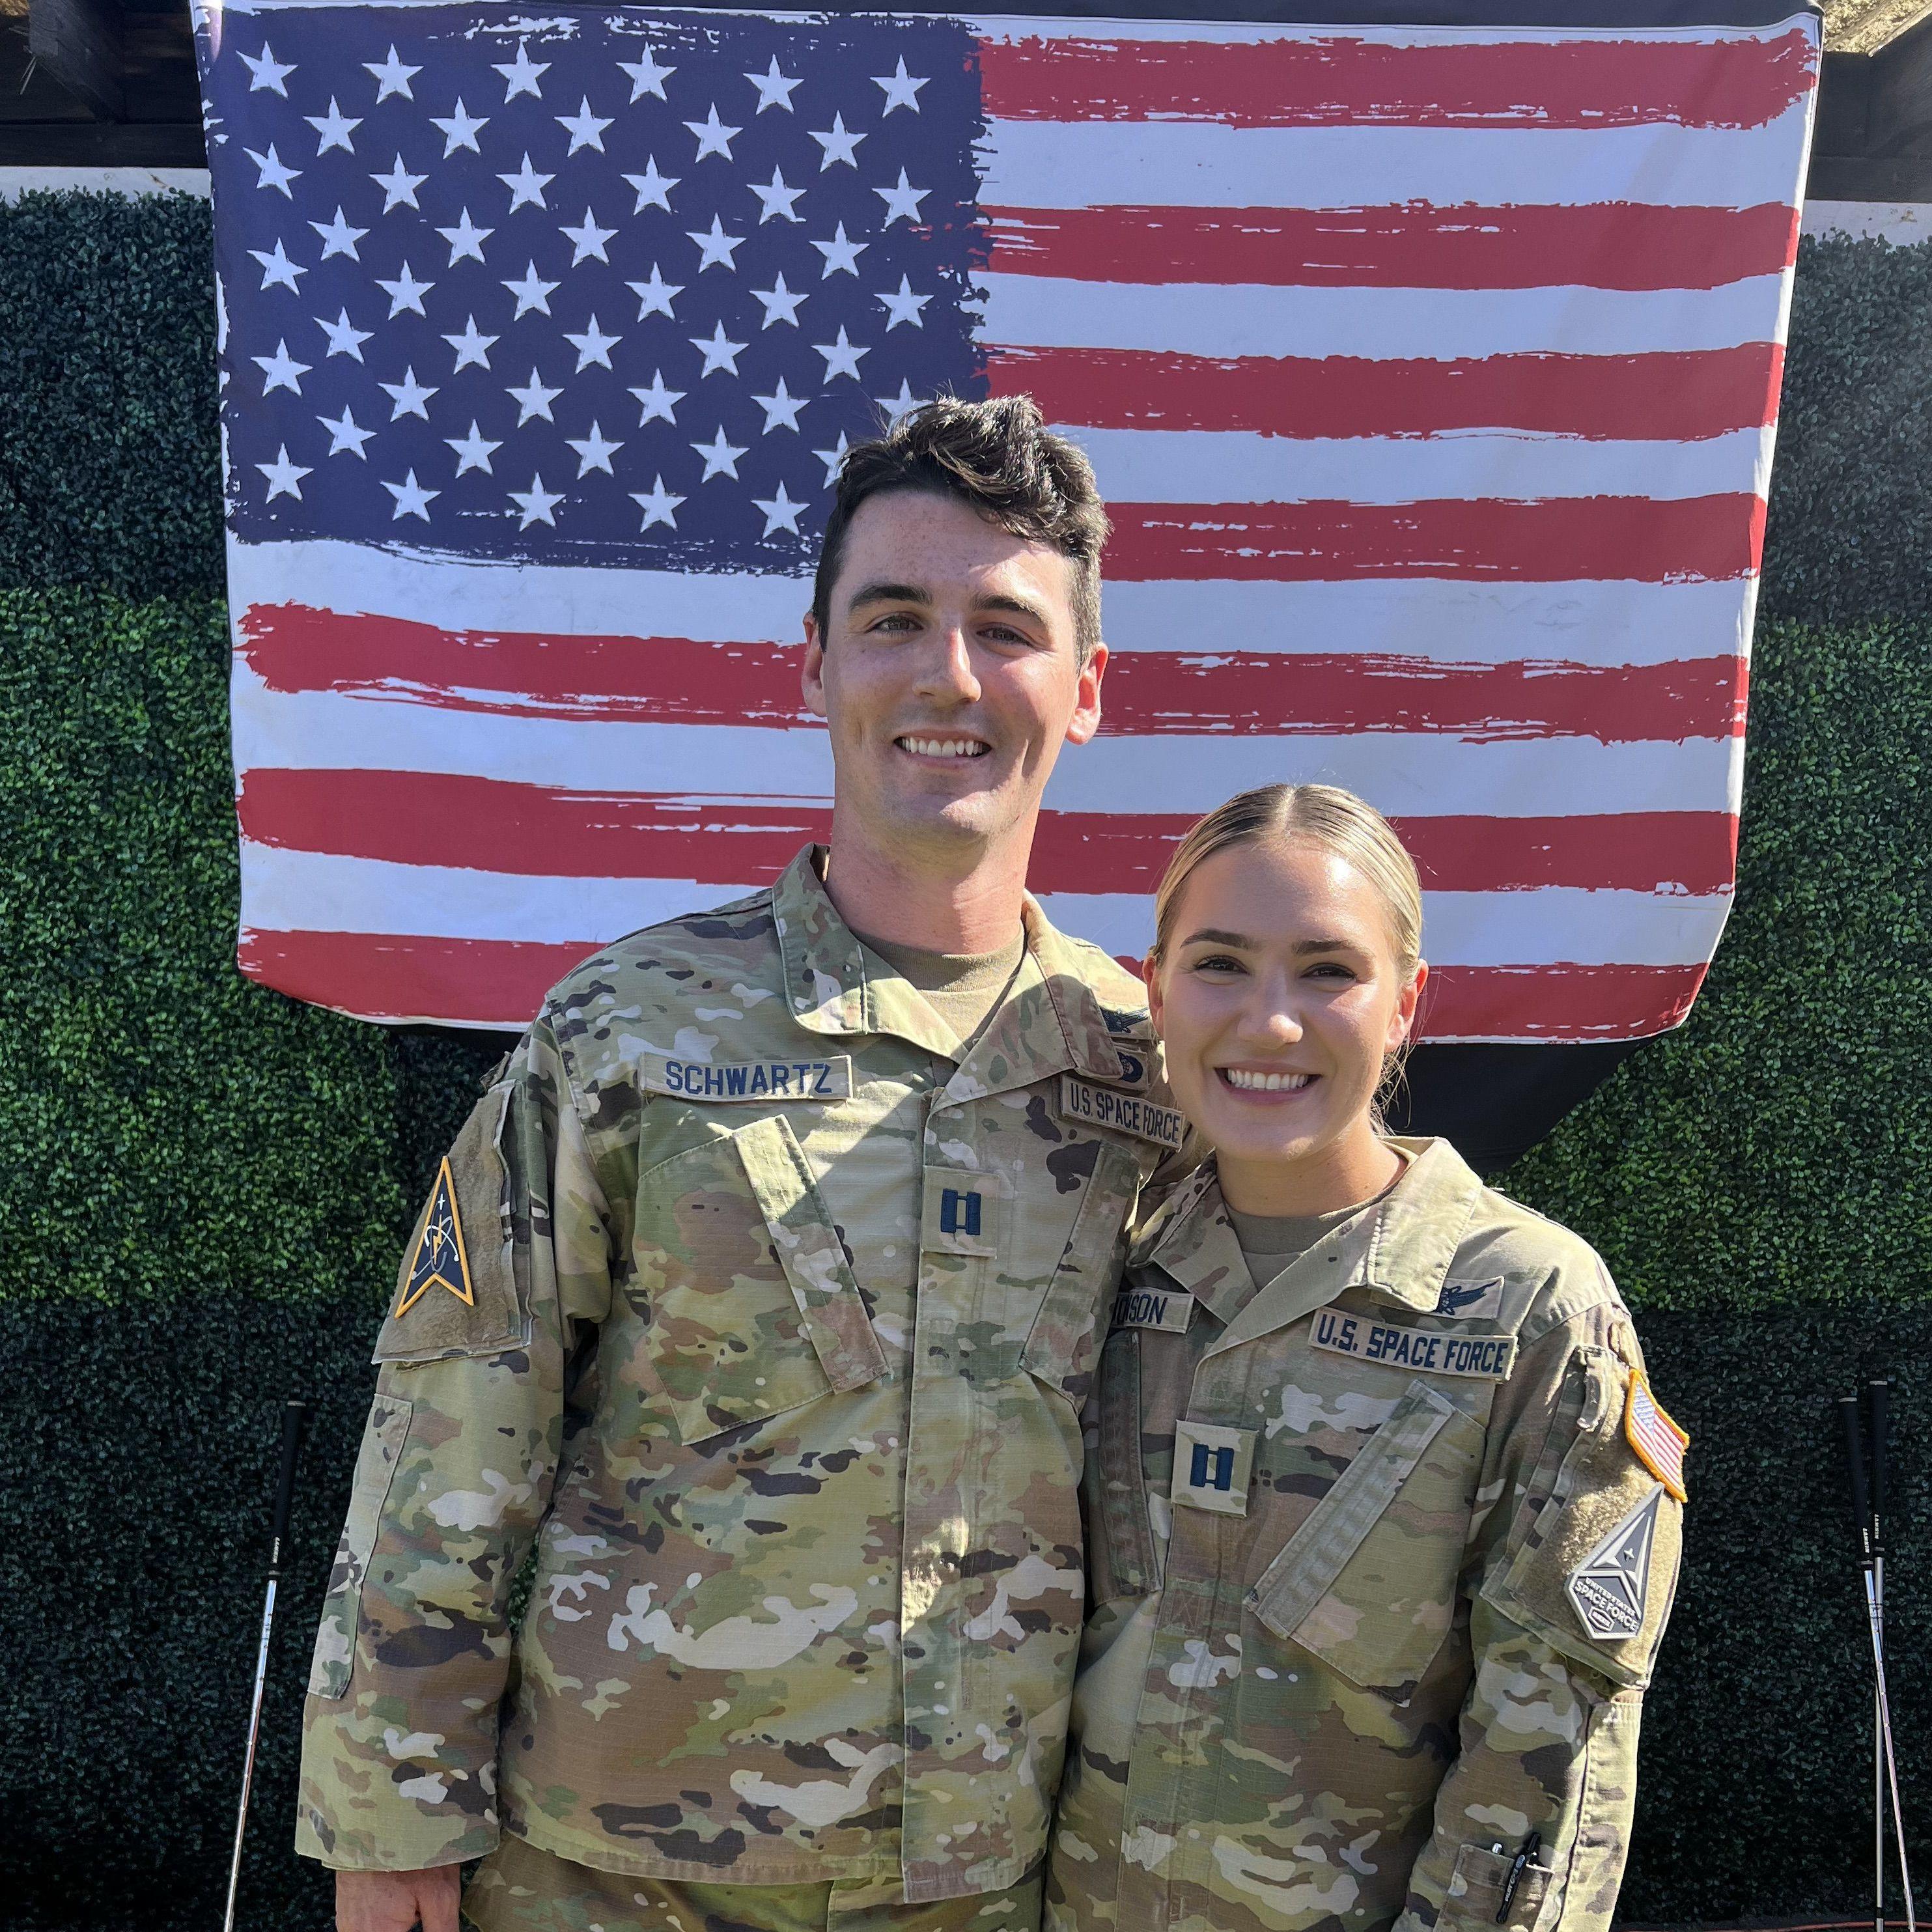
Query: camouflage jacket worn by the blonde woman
(1380,1560)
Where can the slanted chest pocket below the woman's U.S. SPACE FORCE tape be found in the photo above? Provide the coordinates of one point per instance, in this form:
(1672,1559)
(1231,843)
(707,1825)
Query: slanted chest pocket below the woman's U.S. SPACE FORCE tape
(1369,1581)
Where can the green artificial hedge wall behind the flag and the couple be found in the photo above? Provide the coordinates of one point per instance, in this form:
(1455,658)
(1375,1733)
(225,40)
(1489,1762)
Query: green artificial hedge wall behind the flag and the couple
(204,1185)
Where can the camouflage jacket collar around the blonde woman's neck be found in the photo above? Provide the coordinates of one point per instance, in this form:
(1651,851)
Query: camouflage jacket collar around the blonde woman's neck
(1400,1249)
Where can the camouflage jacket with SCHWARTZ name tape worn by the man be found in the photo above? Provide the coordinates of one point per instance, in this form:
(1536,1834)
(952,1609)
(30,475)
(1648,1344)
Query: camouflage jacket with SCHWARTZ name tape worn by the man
(768,1321)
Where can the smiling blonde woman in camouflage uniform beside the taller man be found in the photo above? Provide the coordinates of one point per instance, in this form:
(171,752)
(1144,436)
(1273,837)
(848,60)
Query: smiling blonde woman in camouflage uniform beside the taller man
(1384,1520)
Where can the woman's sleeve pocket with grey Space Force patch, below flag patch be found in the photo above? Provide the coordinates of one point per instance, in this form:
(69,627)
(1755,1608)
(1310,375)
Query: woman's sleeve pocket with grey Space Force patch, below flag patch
(1597,1572)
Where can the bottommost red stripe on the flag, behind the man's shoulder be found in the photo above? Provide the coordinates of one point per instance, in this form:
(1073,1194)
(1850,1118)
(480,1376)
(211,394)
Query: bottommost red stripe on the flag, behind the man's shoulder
(501,982)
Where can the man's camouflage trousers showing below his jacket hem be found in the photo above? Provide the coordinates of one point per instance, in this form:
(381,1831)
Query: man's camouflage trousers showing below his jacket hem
(521,1889)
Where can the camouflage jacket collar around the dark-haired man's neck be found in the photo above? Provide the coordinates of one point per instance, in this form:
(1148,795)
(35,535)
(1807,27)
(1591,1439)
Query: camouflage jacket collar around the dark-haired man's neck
(1048,1025)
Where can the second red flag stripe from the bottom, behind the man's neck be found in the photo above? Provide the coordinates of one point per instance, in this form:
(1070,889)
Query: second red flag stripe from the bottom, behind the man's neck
(428,818)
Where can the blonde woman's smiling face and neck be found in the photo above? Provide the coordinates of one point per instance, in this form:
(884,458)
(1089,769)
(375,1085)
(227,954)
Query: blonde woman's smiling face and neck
(1280,998)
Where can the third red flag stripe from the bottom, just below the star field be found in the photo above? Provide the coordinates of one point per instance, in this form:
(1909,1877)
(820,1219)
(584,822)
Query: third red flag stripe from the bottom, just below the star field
(295,648)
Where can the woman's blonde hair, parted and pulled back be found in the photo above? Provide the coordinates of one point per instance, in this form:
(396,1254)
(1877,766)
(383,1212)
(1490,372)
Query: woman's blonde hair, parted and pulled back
(1336,822)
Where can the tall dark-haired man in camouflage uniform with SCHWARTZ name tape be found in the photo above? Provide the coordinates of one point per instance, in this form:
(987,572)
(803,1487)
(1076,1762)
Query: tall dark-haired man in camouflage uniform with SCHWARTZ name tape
(760,1299)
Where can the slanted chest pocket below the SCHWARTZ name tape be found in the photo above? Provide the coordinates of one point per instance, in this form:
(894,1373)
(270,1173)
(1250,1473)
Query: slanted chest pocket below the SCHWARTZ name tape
(754,1307)
